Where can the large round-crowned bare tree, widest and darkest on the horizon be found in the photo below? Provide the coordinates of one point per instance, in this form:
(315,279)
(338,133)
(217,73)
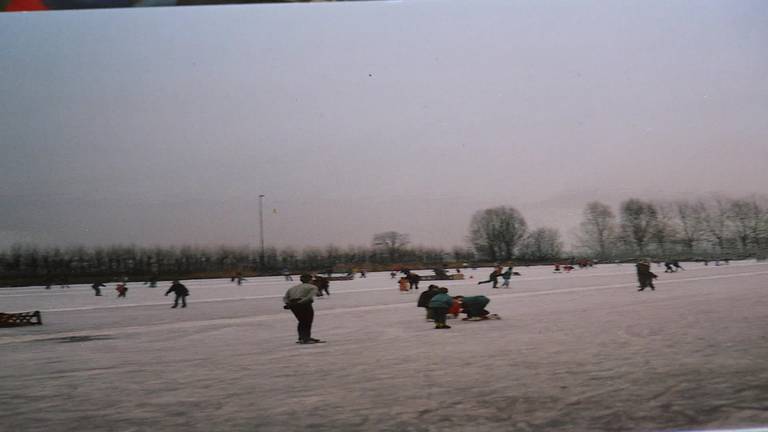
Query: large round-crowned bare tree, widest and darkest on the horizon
(496,232)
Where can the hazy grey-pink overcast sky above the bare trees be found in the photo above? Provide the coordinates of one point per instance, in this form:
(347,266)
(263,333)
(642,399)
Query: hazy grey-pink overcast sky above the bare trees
(162,126)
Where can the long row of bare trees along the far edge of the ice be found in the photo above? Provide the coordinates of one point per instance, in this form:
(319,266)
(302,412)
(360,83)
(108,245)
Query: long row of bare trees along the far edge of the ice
(703,228)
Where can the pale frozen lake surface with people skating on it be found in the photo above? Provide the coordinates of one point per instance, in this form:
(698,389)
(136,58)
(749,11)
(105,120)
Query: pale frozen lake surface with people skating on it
(582,351)
